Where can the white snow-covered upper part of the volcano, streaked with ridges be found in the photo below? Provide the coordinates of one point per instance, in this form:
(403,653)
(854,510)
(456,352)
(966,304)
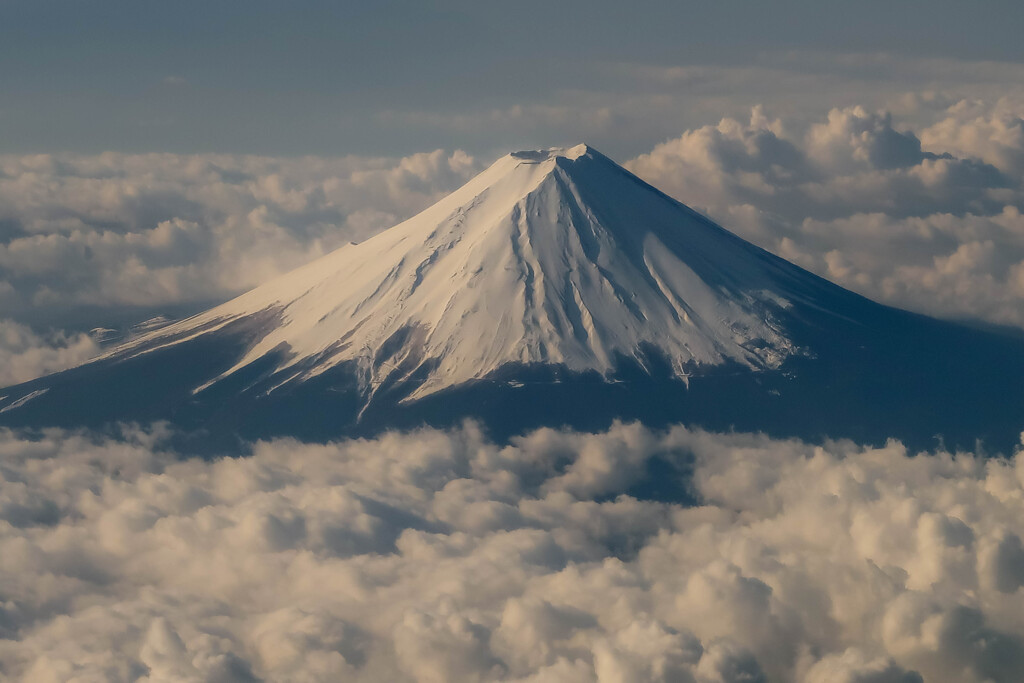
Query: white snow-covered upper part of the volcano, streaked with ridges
(557,258)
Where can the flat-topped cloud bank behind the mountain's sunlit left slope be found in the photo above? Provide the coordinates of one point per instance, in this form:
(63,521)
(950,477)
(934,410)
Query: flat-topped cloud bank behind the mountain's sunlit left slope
(148,230)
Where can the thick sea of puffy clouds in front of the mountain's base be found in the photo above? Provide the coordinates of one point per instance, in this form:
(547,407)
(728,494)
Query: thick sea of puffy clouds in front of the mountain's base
(442,557)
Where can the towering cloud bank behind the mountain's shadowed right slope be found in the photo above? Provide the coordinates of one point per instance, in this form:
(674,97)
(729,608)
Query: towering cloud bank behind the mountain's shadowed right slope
(928,221)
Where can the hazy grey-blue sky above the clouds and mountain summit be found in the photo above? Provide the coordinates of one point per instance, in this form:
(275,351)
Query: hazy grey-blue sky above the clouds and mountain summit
(395,77)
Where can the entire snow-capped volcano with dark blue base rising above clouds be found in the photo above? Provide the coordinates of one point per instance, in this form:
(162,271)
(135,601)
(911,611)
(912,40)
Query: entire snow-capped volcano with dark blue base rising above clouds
(554,289)
